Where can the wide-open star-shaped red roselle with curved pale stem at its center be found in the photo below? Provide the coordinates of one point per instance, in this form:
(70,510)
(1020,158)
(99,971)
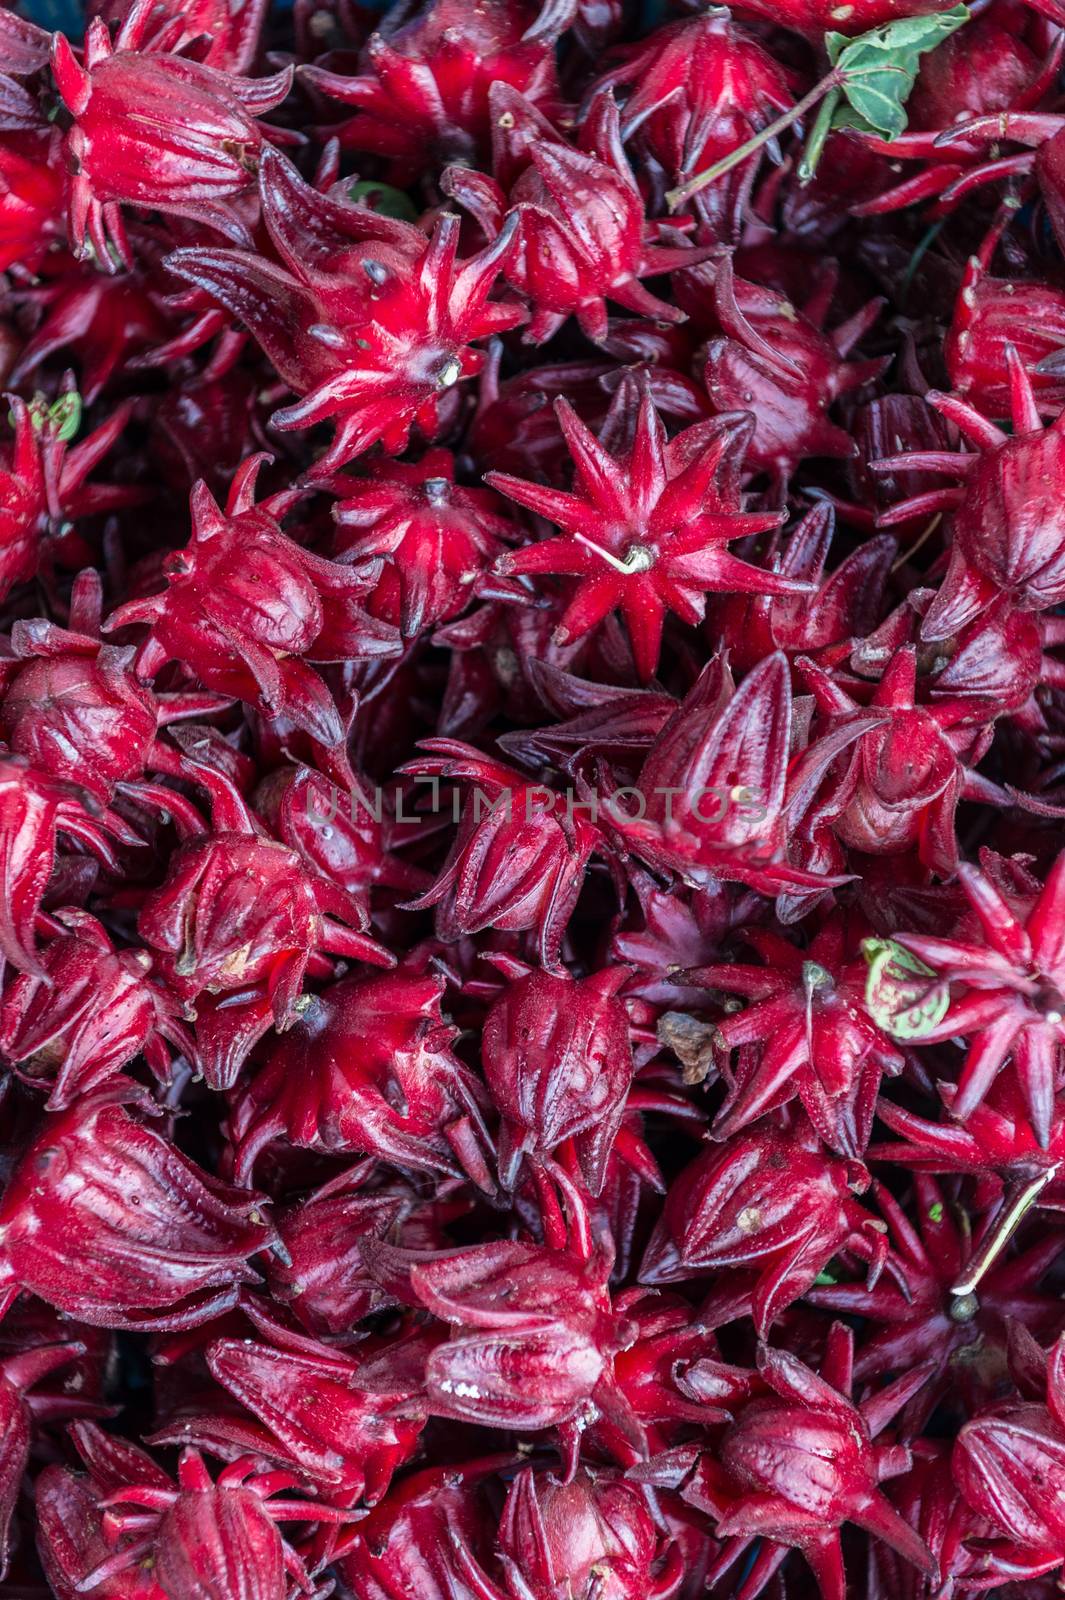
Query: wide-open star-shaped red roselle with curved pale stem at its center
(647,527)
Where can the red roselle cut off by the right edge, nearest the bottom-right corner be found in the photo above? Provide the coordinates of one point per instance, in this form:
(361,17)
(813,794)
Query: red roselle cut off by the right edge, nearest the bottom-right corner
(1008,1466)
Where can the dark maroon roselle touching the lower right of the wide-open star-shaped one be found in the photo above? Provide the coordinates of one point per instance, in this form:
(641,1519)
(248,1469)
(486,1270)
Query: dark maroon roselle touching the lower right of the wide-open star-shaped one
(844,604)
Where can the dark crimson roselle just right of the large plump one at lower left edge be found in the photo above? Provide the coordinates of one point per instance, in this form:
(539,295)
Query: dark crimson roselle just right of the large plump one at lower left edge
(322,1276)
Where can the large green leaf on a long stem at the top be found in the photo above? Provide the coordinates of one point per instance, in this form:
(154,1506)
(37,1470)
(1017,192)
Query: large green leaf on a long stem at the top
(879,70)
